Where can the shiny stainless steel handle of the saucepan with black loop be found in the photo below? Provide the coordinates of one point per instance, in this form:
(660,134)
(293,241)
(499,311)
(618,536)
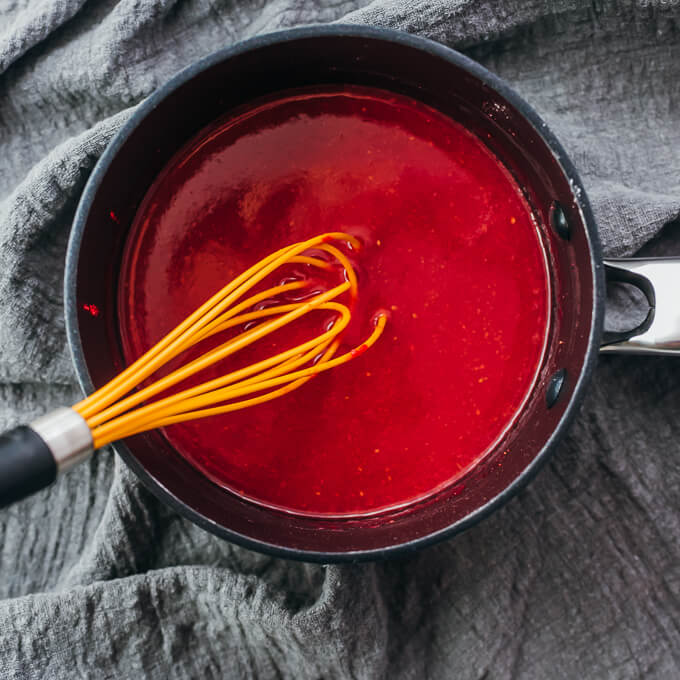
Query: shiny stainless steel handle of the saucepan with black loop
(659,279)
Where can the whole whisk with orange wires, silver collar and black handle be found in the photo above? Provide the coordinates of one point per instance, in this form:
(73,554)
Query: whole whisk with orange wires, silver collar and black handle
(32,455)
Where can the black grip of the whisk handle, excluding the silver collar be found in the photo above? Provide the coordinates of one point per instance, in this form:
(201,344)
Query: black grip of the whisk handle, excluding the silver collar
(26,464)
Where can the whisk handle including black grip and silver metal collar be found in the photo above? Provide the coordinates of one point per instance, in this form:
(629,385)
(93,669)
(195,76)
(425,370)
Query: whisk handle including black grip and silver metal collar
(31,456)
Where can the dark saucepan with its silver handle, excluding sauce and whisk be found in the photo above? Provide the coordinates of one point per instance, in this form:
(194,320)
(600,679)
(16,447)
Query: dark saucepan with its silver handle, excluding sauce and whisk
(460,88)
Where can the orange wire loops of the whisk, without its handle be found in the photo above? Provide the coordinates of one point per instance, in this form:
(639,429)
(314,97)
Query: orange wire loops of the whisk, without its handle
(112,415)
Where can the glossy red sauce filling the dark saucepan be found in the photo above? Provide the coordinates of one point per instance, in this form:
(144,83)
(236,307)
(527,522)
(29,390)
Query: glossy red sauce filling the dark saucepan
(451,249)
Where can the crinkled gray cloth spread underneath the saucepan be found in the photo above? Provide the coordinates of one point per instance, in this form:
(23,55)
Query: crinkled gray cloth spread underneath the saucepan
(577,577)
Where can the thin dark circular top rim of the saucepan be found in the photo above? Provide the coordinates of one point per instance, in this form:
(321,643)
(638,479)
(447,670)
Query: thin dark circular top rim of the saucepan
(395,37)
